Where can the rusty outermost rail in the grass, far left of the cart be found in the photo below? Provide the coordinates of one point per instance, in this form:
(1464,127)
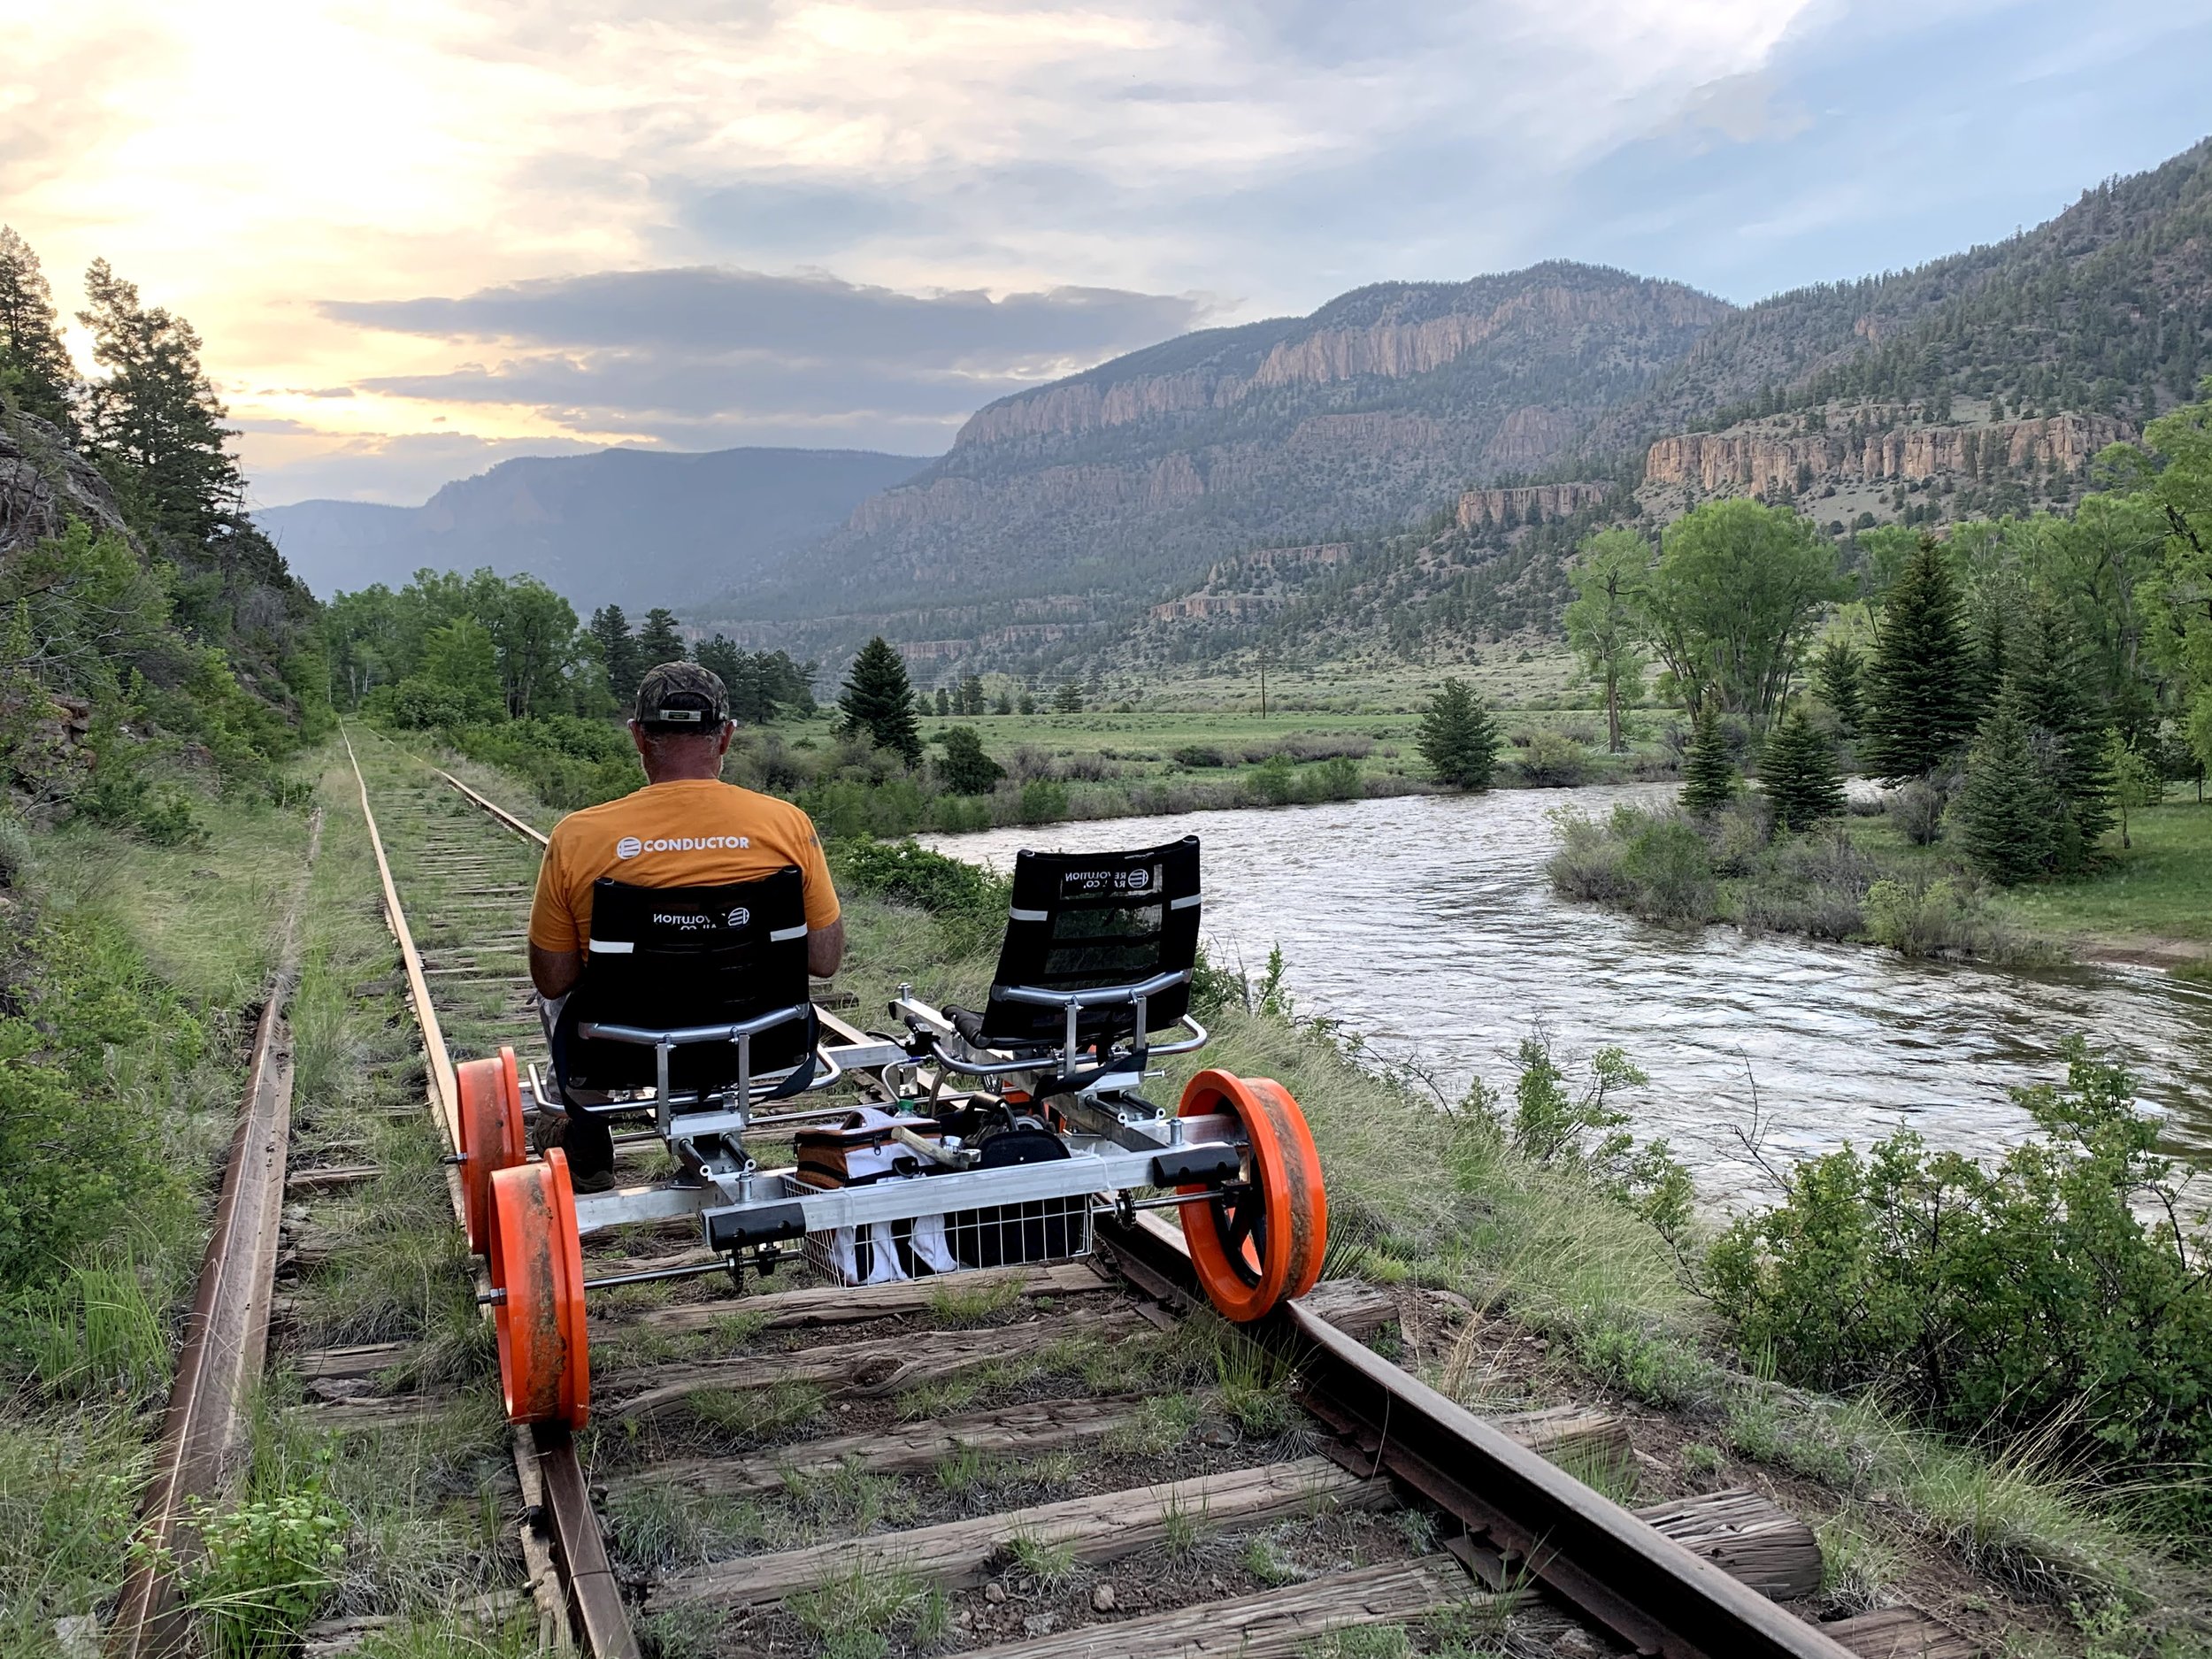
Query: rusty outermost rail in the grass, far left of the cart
(227,1333)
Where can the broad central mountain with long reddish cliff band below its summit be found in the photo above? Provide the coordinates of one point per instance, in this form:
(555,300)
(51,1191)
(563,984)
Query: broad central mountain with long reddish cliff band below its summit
(1134,477)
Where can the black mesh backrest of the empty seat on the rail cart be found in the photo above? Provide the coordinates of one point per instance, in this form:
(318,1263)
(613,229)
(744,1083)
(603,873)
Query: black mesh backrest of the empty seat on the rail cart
(1092,919)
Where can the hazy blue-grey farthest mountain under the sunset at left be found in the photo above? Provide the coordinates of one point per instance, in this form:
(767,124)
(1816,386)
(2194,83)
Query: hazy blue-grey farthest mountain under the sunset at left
(627,525)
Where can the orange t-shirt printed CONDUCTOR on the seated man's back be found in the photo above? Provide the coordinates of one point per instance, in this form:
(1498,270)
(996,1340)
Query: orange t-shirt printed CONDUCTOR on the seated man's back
(696,833)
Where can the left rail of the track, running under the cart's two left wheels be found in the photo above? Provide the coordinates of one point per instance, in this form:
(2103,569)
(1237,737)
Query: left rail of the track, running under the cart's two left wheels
(594,1598)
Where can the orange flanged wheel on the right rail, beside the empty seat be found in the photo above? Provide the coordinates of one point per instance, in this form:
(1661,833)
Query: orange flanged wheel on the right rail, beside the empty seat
(1260,1246)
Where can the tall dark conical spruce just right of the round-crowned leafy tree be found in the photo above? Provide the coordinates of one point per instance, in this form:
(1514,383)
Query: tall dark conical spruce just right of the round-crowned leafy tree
(1919,702)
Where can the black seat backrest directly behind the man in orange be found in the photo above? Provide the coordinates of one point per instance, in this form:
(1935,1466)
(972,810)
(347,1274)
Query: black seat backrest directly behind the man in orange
(689,957)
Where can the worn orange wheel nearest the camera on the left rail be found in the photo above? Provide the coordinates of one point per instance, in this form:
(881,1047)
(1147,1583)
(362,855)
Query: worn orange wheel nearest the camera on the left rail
(539,1269)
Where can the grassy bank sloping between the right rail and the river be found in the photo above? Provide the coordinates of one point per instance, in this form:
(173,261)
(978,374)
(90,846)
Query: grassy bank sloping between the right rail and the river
(1532,1280)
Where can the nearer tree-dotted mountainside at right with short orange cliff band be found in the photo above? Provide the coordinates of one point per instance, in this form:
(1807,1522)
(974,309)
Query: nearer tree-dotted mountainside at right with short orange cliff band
(1979,384)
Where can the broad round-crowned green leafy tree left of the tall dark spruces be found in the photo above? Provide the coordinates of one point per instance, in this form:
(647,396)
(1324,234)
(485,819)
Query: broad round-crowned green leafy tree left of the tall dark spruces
(1731,603)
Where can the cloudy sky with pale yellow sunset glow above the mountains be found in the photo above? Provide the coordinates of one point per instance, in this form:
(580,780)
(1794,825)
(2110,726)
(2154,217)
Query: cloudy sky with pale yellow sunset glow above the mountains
(426,236)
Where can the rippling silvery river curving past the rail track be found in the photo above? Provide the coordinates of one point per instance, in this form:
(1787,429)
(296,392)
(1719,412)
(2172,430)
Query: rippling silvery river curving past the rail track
(1428,926)
